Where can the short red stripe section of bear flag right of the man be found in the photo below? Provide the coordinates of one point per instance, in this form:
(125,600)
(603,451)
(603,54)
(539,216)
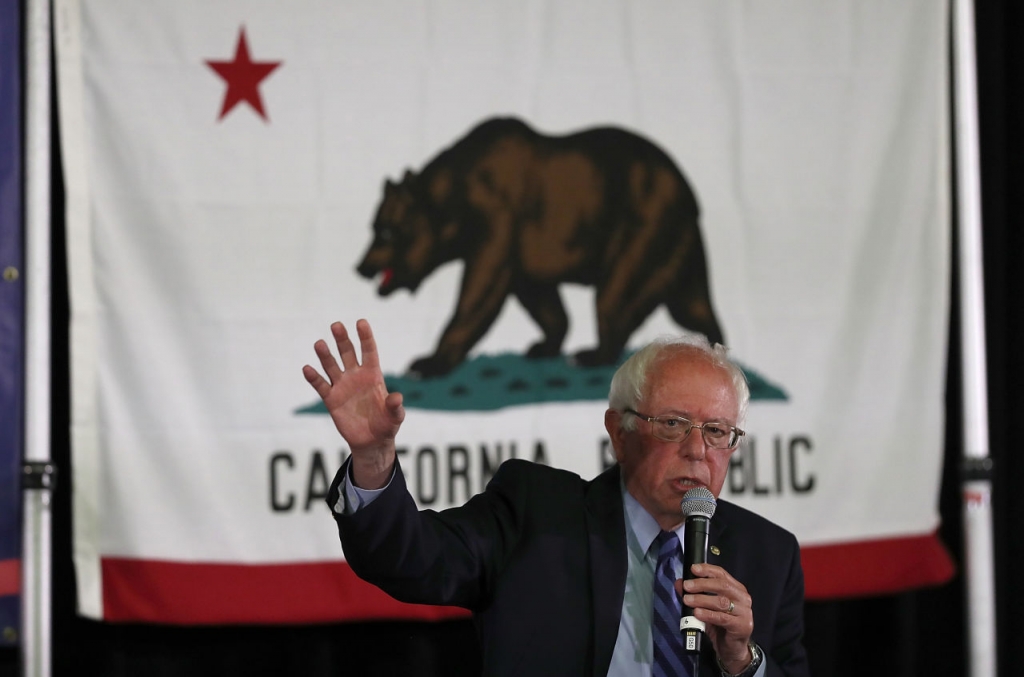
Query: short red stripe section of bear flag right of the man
(875,568)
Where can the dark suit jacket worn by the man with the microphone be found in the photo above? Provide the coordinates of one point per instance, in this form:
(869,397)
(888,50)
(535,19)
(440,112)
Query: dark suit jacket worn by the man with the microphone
(540,559)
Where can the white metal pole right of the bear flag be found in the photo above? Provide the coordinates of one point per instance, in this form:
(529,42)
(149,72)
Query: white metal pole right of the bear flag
(977,486)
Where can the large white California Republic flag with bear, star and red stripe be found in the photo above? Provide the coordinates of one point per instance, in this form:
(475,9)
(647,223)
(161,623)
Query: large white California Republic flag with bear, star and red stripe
(516,195)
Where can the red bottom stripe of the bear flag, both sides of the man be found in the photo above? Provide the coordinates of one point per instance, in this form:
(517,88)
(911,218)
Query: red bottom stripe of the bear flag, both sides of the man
(197,595)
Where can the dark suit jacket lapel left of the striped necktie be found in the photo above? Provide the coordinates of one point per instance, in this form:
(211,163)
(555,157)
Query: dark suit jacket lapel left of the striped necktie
(607,534)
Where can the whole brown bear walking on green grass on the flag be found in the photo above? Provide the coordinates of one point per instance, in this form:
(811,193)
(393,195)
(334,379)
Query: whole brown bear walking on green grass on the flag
(528,213)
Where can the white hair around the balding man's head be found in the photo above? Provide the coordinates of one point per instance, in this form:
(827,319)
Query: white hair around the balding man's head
(630,380)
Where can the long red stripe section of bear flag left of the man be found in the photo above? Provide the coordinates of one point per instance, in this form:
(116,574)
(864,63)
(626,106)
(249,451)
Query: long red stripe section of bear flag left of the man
(204,594)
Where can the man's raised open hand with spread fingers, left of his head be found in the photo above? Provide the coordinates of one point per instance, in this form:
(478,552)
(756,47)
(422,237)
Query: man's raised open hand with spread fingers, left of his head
(365,413)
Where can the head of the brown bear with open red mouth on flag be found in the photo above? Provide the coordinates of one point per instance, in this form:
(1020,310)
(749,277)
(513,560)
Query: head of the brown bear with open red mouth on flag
(409,239)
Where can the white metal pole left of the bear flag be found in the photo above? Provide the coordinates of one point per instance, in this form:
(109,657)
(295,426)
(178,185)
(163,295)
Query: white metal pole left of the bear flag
(36,556)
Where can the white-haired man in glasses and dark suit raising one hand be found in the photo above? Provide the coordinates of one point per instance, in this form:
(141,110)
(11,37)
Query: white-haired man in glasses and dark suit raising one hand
(568,577)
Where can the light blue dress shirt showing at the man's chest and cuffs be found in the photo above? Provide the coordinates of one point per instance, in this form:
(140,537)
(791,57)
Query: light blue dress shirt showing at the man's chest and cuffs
(634,646)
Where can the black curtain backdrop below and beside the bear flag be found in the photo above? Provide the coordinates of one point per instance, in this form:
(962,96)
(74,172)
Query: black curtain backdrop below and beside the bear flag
(919,632)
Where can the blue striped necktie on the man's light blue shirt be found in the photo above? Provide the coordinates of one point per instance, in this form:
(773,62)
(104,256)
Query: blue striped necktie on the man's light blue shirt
(669,659)
